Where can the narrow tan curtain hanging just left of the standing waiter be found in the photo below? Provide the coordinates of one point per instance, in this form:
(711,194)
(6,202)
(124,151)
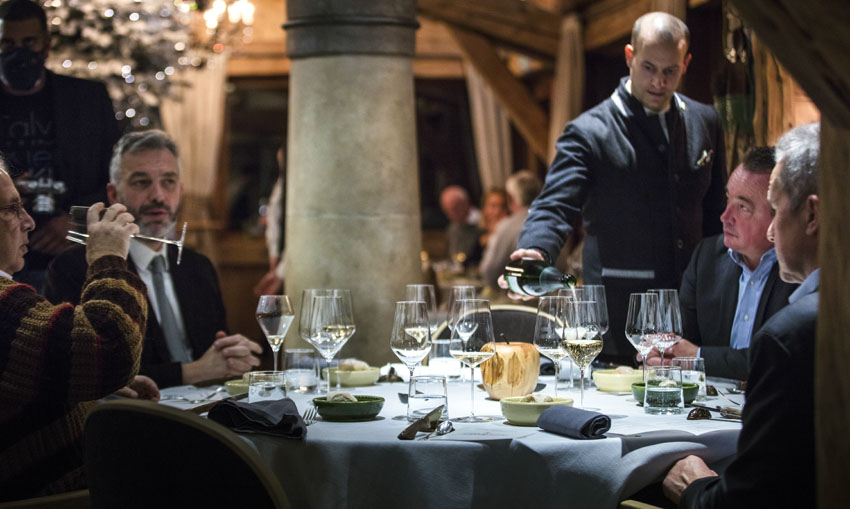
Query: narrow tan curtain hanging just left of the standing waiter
(568,85)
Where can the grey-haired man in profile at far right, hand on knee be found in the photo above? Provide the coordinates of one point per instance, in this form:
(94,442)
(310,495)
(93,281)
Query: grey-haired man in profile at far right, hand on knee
(775,463)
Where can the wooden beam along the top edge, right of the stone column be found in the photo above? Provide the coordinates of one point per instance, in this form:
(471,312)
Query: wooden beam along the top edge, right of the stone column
(512,23)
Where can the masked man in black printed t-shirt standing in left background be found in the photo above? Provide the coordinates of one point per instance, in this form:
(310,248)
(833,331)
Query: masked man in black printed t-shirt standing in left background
(56,133)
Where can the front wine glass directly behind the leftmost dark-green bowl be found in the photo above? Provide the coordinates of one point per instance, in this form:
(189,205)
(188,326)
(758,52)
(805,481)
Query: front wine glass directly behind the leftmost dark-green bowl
(331,324)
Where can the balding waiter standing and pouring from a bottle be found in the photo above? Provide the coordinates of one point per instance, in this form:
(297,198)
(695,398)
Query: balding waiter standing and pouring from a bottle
(645,170)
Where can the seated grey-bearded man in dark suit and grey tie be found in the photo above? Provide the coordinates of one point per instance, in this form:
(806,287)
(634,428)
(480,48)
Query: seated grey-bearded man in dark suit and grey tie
(145,176)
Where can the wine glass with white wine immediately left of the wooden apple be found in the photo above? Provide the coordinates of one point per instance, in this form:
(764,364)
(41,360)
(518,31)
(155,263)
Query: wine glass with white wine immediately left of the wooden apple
(473,328)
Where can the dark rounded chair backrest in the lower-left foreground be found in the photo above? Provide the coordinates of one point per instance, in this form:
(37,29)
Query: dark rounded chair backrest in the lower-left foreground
(140,454)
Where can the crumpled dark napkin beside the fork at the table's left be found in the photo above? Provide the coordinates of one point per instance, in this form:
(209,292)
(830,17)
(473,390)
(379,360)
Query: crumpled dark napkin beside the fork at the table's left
(278,418)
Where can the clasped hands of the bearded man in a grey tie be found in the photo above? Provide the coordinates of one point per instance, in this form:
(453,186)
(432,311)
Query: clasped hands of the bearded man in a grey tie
(228,356)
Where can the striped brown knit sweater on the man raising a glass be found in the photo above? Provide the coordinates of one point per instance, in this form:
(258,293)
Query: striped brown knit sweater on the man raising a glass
(54,361)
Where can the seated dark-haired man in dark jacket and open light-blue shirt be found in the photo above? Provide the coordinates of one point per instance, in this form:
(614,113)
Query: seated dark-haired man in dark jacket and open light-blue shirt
(731,286)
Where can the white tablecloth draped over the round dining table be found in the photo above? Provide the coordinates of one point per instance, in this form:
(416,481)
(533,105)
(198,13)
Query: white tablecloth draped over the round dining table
(363,464)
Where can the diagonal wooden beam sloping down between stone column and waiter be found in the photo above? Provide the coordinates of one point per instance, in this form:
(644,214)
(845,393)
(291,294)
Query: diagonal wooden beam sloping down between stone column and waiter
(528,117)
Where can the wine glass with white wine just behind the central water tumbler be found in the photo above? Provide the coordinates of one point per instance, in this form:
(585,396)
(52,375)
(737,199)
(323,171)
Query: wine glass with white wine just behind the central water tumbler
(410,339)
